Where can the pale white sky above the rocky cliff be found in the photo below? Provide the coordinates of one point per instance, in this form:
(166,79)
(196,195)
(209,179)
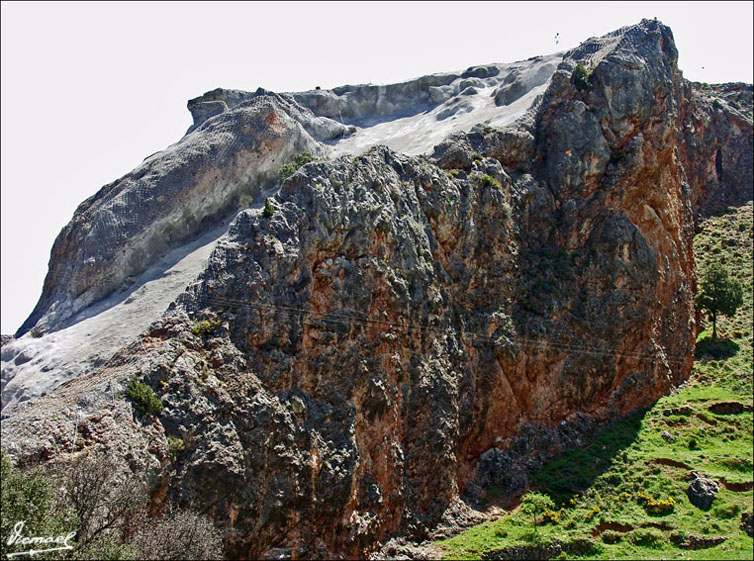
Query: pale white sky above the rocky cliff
(89,90)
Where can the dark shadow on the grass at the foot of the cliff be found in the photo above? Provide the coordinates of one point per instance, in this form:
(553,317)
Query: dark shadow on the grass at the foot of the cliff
(576,470)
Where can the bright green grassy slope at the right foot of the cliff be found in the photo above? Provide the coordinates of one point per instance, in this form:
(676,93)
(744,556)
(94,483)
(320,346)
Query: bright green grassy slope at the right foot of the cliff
(624,495)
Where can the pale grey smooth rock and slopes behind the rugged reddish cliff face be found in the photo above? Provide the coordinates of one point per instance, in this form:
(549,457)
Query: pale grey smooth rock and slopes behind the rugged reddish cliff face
(112,267)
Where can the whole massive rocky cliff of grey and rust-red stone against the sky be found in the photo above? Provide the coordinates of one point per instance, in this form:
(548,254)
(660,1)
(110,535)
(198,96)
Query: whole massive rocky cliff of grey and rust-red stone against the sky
(401,330)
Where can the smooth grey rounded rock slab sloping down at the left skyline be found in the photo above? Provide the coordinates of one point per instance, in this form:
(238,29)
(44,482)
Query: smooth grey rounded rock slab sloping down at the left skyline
(166,201)
